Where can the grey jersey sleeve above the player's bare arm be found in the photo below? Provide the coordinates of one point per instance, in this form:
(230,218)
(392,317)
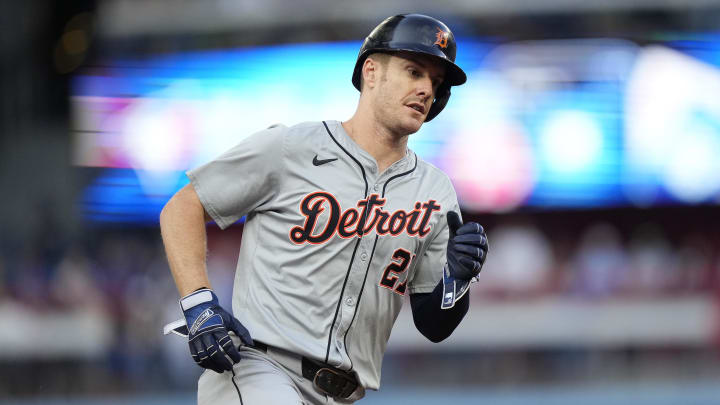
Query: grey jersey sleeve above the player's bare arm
(243,179)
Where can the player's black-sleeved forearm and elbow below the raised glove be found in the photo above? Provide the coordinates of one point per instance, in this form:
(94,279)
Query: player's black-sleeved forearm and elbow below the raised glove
(433,322)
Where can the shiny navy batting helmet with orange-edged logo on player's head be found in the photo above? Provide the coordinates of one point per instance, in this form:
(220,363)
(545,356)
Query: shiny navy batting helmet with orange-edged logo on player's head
(415,33)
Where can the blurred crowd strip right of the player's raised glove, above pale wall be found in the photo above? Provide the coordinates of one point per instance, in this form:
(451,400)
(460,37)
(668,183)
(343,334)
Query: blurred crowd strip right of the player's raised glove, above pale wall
(599,262)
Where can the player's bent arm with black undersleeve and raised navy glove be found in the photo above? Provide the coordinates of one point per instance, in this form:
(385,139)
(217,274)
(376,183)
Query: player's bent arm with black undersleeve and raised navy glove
(466,252)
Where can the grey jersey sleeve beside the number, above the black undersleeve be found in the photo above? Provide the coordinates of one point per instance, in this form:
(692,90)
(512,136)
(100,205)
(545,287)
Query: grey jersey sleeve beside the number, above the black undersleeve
(428,271)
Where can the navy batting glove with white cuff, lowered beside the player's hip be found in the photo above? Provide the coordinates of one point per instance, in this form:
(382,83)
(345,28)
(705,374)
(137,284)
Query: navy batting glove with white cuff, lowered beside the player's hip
(208,326)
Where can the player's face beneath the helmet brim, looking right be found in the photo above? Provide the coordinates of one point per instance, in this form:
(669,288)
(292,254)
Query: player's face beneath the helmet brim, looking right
(406,91)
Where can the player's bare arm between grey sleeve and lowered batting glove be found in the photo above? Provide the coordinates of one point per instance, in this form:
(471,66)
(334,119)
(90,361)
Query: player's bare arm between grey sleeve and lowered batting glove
(182,224)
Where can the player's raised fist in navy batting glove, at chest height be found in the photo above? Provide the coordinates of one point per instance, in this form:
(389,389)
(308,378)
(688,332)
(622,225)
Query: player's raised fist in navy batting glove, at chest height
(467,247)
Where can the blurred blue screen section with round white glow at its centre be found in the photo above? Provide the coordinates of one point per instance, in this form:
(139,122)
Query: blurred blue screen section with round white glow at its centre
(563,180)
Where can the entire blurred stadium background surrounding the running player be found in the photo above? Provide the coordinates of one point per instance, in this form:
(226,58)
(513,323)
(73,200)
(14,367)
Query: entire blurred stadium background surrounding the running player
(587,139)
